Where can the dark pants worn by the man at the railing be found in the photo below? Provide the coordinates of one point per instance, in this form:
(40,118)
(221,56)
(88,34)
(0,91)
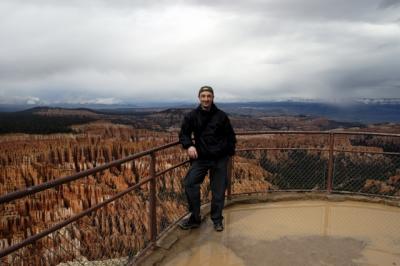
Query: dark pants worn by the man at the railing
(218,180)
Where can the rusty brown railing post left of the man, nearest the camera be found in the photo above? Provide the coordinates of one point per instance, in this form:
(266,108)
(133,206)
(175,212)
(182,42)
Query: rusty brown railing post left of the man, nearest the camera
(152,209)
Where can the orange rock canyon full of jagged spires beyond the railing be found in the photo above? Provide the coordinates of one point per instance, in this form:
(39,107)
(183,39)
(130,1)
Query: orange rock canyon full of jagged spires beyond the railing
(122,227)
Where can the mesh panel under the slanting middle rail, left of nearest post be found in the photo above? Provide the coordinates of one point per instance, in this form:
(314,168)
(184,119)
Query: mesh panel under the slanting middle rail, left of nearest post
(111,235)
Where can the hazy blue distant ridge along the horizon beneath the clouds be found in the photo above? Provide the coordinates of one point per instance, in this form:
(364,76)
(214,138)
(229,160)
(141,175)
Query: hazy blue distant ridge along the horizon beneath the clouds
(361,110)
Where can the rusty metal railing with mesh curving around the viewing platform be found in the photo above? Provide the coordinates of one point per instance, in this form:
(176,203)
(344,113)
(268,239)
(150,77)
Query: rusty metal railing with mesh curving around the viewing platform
(117,222)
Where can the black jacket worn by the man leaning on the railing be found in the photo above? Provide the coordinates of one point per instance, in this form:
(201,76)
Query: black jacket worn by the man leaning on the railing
(213,133)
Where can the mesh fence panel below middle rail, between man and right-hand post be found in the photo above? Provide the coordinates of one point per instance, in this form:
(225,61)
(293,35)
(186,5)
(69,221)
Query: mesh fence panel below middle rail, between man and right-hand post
(265,170)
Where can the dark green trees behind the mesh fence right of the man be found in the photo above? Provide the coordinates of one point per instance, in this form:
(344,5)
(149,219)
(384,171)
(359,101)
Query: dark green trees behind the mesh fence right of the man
(304,171)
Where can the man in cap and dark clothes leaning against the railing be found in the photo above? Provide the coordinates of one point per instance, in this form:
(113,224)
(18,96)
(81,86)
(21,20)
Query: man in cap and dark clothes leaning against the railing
(214,143)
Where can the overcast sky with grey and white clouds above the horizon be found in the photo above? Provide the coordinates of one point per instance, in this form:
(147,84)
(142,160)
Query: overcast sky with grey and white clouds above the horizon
(136,51)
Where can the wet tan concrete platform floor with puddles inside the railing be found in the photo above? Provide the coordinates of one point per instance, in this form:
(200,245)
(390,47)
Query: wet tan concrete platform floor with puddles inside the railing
(295,233)
